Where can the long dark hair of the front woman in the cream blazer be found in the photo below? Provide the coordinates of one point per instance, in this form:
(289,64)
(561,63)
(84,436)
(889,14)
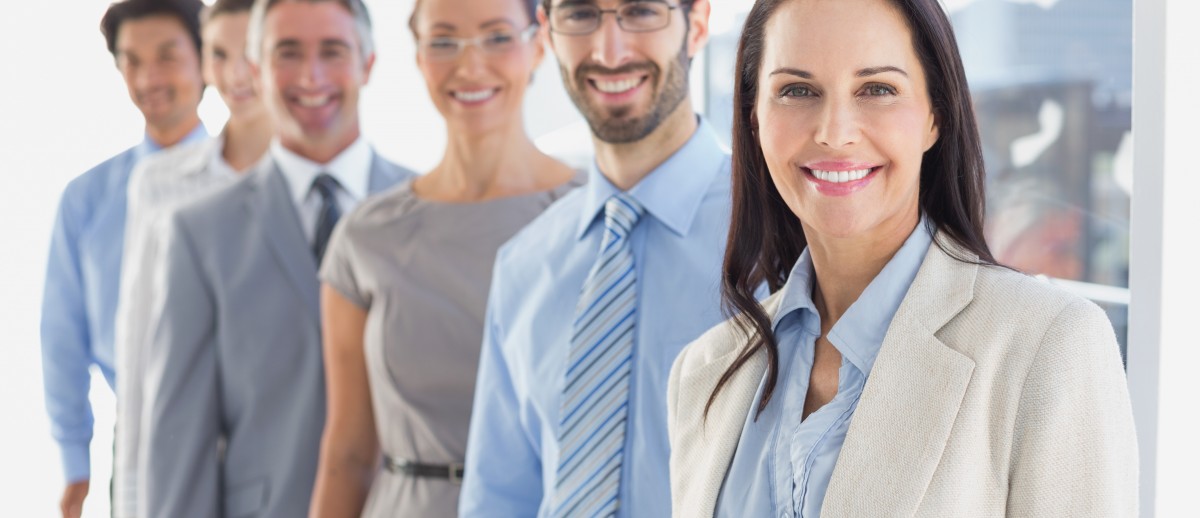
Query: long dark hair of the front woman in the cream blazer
(766,238)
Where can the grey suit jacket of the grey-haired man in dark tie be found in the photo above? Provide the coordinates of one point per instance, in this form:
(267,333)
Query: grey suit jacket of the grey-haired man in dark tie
(236,393)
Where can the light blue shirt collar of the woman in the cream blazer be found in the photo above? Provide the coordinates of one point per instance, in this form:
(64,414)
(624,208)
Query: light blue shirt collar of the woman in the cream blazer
(860,334)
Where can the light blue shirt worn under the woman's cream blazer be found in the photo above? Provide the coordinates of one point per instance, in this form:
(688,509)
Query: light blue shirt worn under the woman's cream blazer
(783,466)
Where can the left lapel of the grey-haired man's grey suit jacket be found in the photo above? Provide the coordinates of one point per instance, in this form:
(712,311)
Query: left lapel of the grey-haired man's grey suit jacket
(284,233)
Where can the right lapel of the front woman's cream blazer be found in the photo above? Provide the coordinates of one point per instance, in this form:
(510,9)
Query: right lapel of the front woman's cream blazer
(911,399)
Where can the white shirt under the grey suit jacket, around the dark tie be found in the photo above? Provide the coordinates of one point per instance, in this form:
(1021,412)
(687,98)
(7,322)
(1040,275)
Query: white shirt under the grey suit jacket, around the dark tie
(351,168)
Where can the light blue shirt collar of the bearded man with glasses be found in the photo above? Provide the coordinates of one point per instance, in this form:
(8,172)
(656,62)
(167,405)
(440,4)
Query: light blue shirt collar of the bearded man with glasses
(673,192)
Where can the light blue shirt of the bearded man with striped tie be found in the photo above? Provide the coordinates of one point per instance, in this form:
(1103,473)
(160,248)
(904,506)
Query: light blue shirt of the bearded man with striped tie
(513,450)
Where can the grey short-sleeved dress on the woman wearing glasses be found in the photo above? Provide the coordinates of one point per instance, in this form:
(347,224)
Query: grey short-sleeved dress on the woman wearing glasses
(422,270)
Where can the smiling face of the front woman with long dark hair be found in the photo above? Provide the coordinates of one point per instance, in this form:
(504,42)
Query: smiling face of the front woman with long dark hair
(844,116)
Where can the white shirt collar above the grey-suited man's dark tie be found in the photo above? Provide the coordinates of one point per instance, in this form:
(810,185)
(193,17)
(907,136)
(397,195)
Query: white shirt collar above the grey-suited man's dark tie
(351,168)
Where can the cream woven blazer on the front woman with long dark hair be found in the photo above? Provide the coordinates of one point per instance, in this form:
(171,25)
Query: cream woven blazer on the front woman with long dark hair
(994,395)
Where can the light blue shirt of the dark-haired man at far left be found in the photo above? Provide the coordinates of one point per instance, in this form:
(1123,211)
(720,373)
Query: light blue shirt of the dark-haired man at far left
(80,298)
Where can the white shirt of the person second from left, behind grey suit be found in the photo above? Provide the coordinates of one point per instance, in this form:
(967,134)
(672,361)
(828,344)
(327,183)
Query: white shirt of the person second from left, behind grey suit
(158,186)
